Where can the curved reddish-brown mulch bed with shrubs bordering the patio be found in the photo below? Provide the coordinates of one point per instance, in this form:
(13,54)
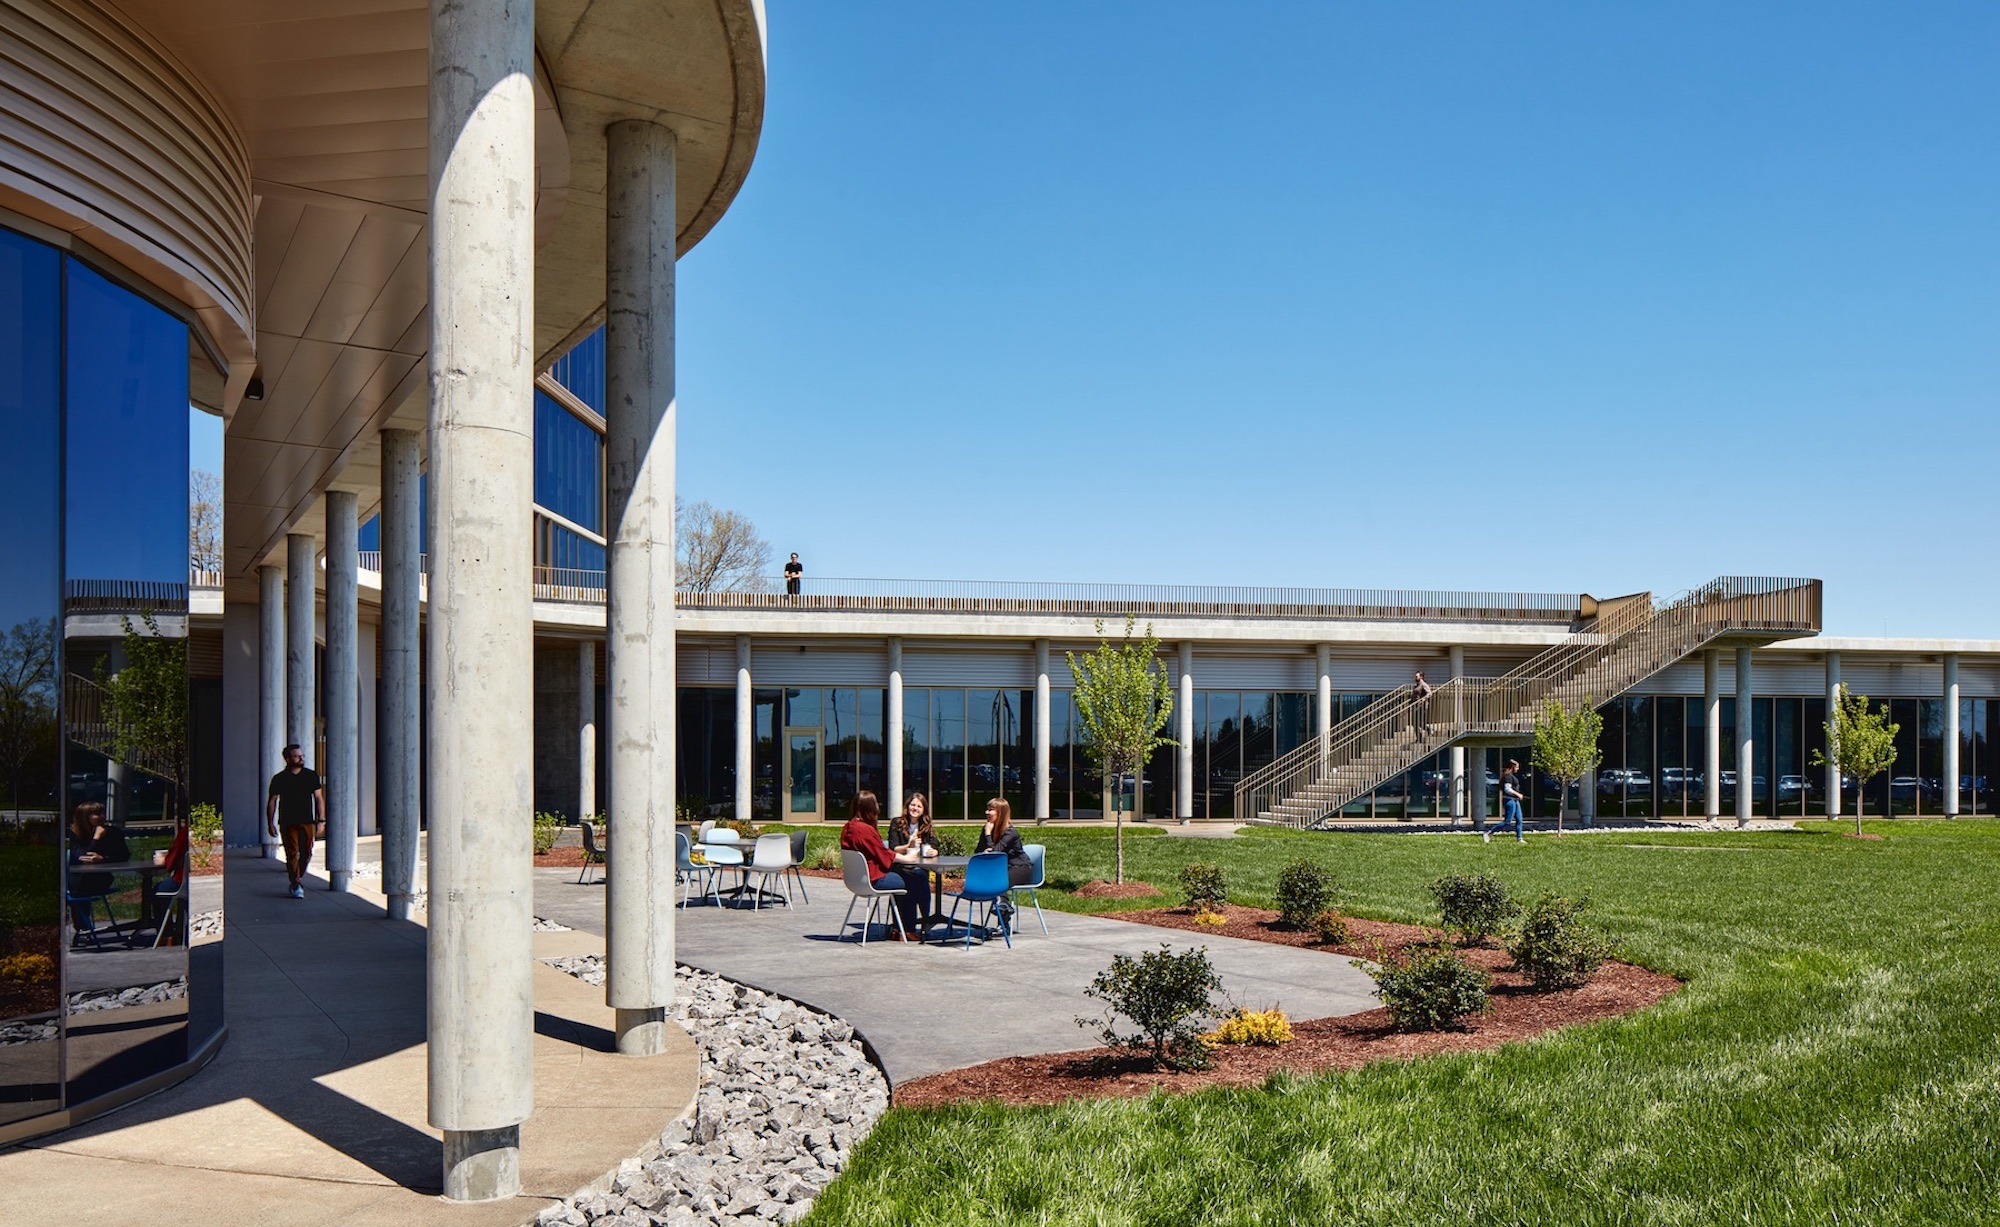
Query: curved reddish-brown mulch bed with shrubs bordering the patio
(1317,1044)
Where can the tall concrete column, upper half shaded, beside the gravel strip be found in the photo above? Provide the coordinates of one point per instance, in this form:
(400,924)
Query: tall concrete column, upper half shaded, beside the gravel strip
(639,644)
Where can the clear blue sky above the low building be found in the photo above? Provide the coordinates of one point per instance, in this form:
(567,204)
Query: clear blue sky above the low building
(1557,297)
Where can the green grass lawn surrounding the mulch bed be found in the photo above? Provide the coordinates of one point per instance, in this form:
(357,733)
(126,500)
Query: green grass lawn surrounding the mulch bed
(1833,1060)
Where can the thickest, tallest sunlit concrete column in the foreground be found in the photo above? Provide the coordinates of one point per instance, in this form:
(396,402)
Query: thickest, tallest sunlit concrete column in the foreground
(481,624)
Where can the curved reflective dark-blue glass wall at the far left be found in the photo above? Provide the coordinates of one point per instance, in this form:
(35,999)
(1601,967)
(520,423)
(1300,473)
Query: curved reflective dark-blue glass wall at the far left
(99,984)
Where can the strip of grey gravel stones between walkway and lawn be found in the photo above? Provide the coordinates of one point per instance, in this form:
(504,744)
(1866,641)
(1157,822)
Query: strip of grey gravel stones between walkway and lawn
(787,1096)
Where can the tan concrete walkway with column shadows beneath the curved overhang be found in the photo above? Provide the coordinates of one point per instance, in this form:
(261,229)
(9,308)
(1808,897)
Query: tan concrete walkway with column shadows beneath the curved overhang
(315,1110)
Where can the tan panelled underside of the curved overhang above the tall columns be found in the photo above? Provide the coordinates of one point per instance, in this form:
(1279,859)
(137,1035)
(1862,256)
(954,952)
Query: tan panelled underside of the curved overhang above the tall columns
(331,99)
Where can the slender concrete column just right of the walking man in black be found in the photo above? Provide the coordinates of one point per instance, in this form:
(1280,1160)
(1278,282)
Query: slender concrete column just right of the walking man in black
(343,688)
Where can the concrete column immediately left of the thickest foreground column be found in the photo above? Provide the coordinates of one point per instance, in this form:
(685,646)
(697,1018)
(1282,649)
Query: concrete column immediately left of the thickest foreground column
(403,718)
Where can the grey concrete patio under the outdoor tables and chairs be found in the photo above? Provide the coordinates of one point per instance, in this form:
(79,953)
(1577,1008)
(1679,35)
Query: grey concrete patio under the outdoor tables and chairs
(931,1008)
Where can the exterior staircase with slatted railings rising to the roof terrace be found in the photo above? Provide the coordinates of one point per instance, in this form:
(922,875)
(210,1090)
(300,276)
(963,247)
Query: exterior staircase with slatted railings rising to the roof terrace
(1627,640)
